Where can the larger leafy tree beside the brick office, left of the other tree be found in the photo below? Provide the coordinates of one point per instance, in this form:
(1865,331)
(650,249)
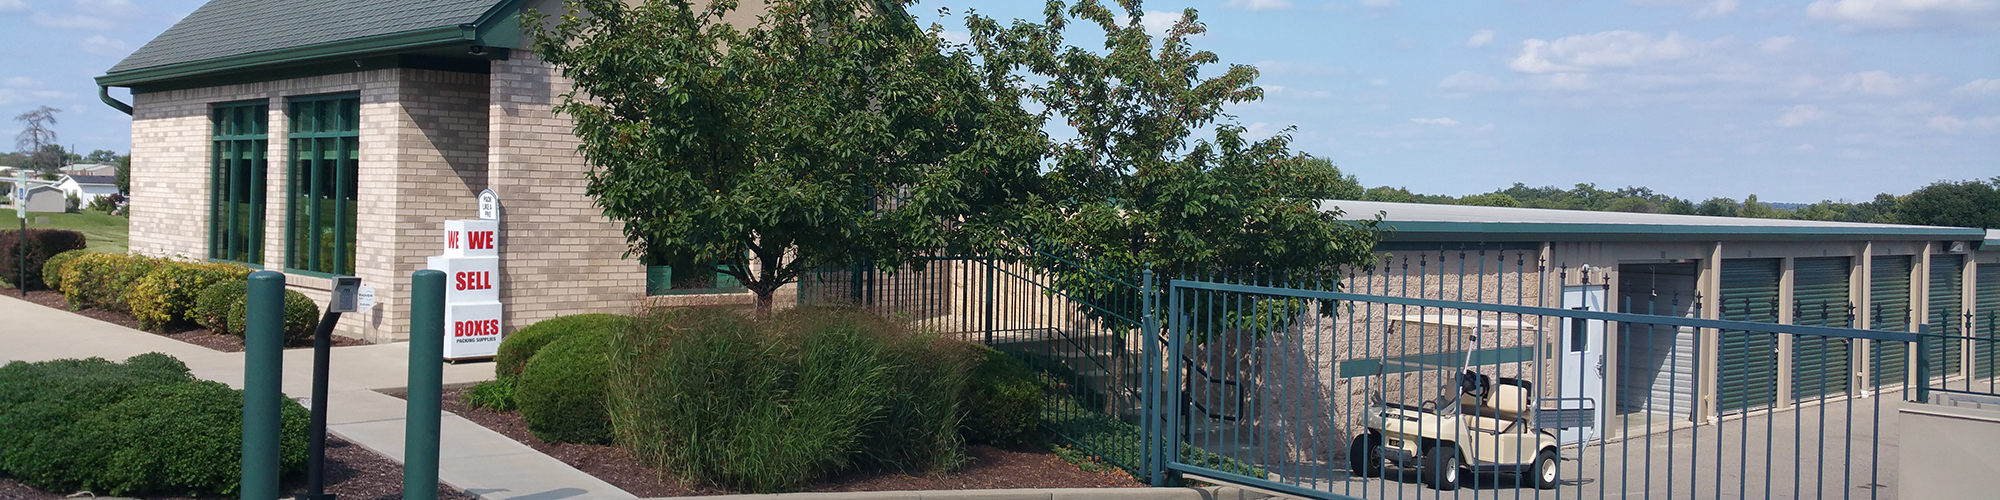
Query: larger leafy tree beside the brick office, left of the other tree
(831,133)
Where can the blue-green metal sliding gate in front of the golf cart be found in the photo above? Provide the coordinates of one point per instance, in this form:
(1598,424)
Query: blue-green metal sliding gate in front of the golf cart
(1315,367)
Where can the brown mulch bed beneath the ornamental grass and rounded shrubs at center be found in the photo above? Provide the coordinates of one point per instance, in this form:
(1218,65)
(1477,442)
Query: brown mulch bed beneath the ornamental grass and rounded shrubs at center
(1027,467)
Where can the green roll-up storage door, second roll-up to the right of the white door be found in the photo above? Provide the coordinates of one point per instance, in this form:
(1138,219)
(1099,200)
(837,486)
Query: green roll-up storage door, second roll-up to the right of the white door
(1749,361)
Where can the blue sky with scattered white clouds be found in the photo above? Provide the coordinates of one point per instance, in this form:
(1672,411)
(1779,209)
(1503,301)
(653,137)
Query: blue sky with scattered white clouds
(1697,99)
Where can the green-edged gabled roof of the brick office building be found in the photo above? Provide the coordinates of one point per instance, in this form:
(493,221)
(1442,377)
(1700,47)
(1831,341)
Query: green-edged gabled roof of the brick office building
(241,35)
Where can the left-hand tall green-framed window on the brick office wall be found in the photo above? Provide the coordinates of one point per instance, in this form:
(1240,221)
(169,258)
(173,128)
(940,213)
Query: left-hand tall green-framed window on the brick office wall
(237,183)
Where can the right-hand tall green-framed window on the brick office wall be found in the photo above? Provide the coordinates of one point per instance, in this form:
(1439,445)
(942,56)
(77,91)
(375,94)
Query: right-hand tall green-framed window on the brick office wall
(321,187)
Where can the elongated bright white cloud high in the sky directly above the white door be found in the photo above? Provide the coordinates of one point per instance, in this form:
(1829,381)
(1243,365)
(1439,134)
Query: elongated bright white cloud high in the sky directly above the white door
(1599,51)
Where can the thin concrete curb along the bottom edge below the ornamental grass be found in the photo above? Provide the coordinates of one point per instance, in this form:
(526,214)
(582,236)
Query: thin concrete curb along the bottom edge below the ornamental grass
(1211,493)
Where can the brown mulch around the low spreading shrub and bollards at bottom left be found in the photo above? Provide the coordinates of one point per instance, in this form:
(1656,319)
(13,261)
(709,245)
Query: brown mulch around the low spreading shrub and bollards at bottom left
(353,473)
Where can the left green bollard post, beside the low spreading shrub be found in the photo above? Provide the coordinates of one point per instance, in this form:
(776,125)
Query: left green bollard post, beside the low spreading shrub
(263,369)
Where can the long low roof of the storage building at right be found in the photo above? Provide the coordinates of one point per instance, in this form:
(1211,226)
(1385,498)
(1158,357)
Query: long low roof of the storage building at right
(1435,223)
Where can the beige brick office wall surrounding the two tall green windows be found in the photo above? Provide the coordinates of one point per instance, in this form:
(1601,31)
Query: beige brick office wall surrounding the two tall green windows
(423,143)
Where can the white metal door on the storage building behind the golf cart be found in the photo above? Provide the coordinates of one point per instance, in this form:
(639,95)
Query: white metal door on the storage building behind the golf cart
(1583,359)
